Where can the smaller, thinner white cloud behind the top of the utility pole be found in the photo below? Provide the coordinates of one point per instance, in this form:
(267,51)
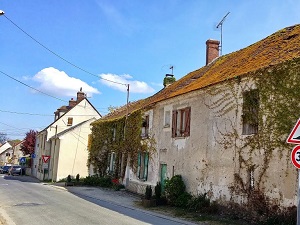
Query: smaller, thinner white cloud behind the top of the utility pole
(119,81)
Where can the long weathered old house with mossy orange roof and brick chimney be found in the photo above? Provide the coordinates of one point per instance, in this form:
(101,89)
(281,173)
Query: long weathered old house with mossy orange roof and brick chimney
(223,127)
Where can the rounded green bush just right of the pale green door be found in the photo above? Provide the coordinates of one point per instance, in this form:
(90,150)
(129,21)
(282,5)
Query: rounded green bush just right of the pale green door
(174,188)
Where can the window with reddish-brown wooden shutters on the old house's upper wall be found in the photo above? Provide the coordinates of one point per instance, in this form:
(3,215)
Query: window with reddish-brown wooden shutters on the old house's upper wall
(181,122)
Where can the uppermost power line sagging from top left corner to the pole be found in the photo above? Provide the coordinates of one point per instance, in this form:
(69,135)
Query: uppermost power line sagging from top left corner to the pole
(57,55)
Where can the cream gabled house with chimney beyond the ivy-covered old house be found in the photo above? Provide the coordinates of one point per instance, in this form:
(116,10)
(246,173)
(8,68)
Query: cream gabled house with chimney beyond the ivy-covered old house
(61,148)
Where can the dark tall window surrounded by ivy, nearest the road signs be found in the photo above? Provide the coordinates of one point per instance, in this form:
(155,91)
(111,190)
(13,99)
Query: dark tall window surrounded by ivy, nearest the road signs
(250,112)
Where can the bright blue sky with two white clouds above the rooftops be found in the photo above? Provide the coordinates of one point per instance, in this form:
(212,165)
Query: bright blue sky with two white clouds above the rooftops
(50,49)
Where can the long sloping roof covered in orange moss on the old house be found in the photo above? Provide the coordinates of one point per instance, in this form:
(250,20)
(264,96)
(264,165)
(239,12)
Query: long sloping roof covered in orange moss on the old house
(277,48)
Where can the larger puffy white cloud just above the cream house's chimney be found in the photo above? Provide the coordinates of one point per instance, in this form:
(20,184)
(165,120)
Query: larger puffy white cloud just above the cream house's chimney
(58,83)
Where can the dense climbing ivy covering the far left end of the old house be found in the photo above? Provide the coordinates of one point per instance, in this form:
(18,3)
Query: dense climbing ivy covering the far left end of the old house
(121,136)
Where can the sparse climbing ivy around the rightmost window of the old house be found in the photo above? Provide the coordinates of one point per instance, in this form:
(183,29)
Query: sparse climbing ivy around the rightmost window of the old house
(279,100)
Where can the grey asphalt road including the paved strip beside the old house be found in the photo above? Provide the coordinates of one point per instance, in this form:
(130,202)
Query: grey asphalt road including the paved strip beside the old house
(24,200)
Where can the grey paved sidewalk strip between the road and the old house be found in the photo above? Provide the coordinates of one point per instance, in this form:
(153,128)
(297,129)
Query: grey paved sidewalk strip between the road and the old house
(111,198)
